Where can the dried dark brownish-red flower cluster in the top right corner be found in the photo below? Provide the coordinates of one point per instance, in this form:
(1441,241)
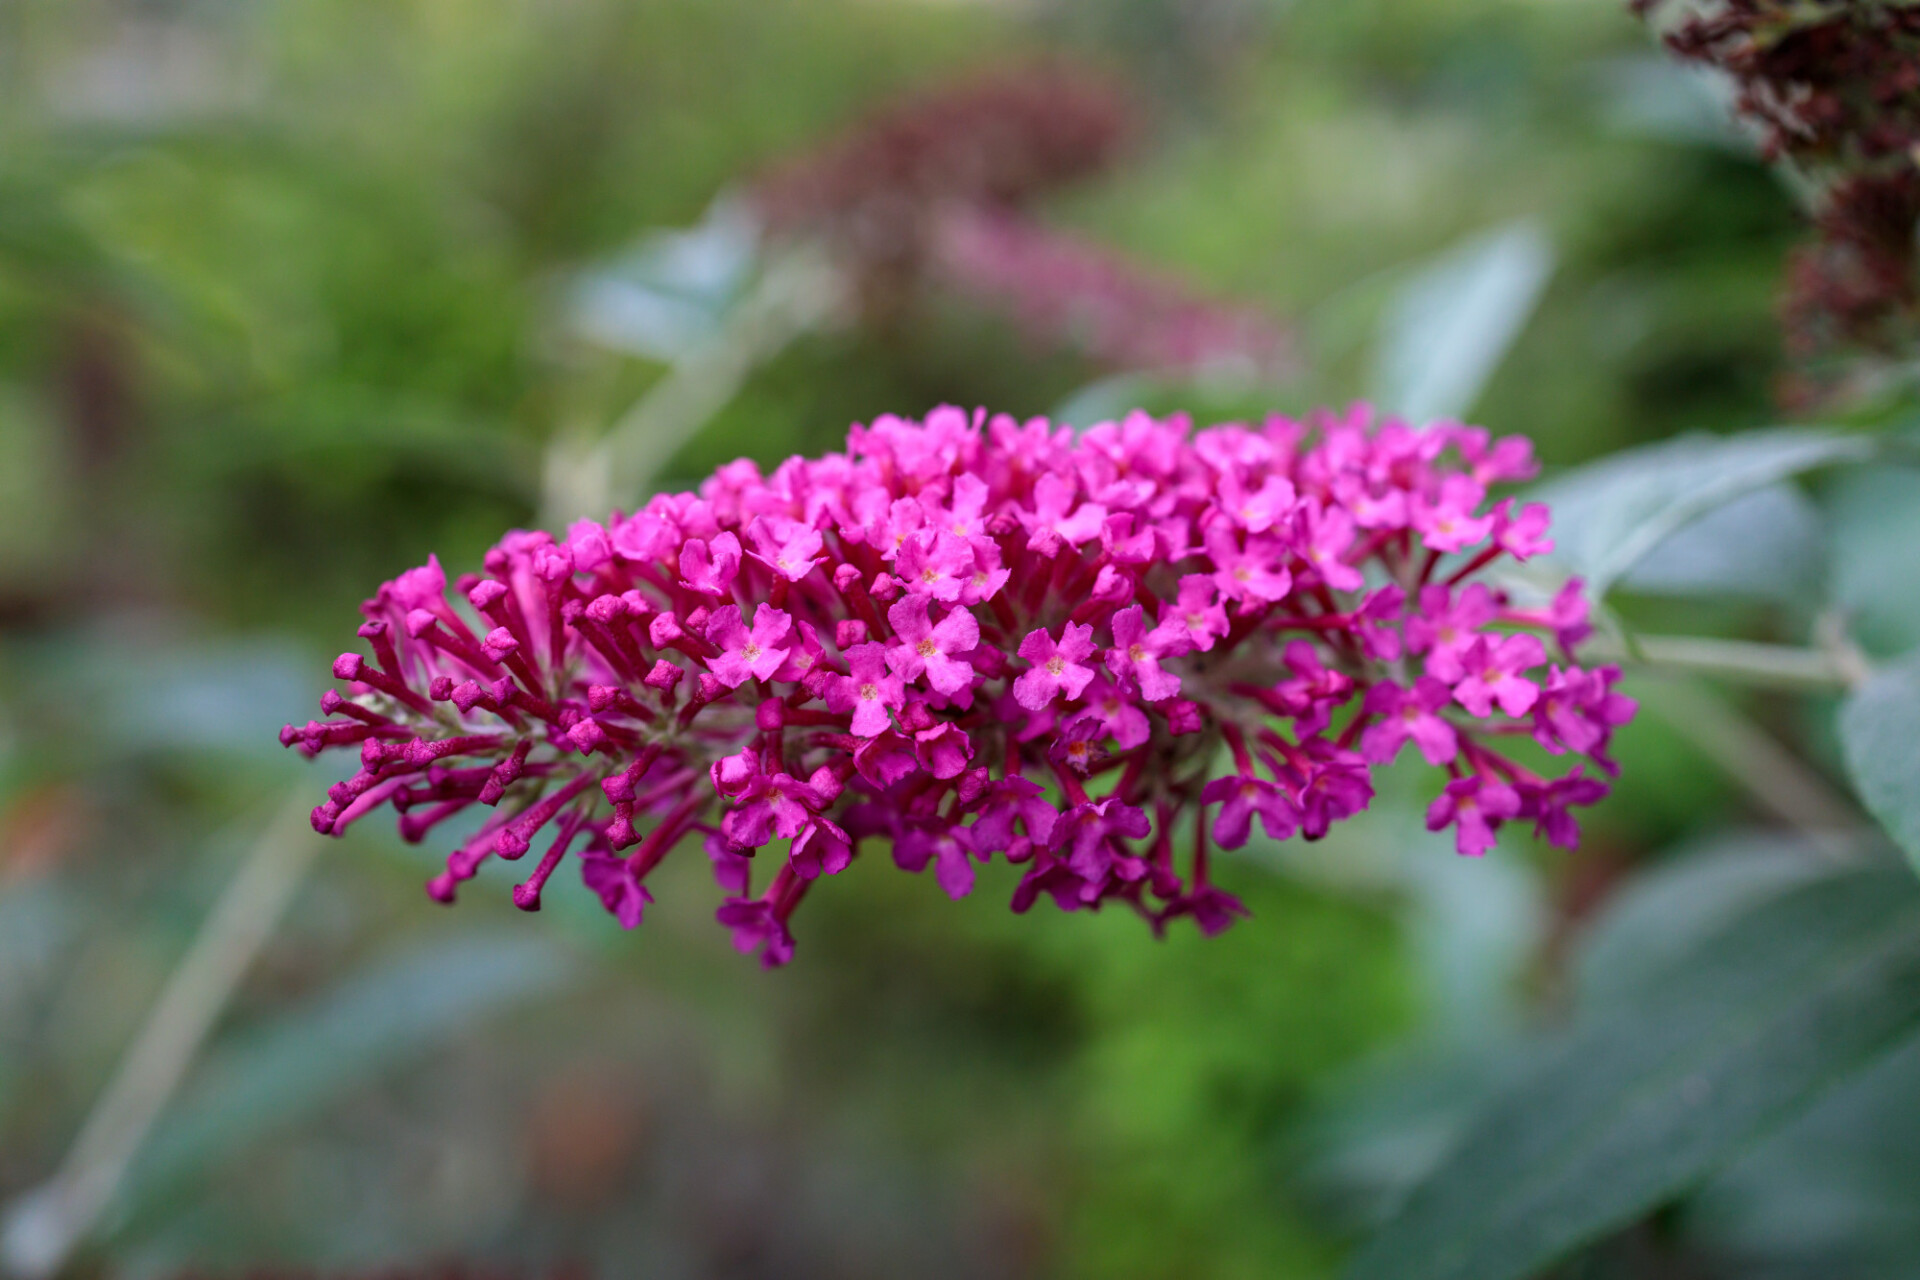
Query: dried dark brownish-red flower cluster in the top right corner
(1836,89)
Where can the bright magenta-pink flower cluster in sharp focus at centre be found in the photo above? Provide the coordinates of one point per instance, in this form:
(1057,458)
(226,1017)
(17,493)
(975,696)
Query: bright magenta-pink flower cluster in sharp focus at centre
(1088,653)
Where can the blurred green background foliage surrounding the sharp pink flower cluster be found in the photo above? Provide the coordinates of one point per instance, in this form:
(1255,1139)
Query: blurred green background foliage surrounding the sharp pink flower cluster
(281,314)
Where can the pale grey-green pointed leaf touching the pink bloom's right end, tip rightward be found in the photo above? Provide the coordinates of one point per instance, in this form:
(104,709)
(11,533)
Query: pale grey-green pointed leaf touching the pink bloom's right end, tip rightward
(1612,513)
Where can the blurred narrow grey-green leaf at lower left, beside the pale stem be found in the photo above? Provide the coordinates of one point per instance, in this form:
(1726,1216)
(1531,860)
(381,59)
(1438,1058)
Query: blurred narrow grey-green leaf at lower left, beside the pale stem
(310,1056)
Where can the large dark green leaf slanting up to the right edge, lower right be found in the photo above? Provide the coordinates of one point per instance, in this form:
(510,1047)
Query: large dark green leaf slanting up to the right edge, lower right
(1641,1104)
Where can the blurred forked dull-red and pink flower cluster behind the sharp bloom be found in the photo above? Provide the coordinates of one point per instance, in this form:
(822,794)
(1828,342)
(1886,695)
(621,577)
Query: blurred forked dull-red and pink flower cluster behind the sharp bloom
(934,193)
